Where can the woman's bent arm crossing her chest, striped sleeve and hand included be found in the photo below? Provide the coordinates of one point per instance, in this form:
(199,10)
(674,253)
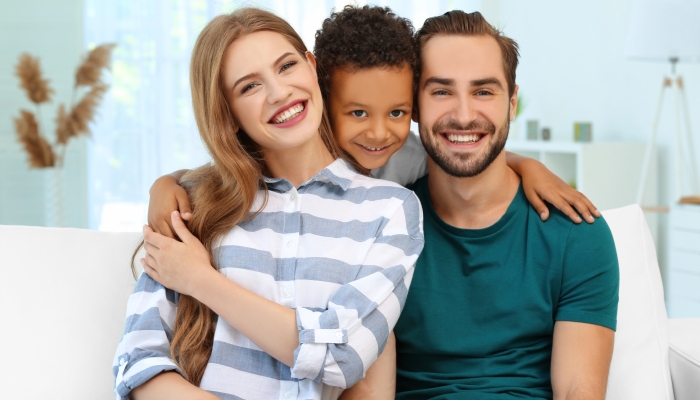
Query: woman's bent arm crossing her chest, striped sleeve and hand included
(303,339)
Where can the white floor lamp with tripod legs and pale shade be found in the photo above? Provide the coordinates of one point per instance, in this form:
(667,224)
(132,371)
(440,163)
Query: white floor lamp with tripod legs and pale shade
(669,32)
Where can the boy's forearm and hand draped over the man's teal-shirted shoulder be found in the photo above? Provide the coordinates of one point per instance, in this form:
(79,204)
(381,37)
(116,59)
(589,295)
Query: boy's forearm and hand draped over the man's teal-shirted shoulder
(540,184)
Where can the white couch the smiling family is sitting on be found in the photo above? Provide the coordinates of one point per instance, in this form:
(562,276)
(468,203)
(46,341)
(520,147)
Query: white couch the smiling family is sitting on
(63,296)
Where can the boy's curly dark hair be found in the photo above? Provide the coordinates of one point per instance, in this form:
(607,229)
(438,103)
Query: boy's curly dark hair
(363,37)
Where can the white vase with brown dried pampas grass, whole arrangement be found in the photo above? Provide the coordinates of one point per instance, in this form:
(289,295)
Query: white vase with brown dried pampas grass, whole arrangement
(71,121)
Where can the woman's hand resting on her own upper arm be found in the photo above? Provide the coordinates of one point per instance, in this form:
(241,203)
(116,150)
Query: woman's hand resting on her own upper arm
(179,266)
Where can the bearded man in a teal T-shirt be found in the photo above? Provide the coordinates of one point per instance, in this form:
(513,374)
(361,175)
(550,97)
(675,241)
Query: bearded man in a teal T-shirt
(502,305)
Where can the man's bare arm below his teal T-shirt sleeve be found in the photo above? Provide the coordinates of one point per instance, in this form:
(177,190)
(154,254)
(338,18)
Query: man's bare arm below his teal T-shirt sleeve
(581,355)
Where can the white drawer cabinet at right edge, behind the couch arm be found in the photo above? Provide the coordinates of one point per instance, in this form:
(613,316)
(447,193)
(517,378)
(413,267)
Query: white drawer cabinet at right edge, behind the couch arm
(683,284)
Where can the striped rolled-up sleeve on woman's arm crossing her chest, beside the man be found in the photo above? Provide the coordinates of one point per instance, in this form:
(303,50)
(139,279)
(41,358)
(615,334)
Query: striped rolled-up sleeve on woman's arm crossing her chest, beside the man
(338,345)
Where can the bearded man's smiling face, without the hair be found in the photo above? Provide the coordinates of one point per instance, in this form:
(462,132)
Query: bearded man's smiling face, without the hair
(465,109)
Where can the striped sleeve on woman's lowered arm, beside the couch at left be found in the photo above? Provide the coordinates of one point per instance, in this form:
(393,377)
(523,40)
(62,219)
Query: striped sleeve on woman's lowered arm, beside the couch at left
(144,350)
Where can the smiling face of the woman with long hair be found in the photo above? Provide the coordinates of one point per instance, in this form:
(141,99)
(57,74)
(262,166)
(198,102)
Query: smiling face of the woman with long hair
(272,90)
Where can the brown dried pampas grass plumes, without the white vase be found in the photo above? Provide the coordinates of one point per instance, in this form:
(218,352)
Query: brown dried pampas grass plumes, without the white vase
(69,123)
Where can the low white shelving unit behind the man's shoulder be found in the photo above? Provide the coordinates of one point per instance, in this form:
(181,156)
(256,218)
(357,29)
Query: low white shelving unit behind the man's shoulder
(607,173)
